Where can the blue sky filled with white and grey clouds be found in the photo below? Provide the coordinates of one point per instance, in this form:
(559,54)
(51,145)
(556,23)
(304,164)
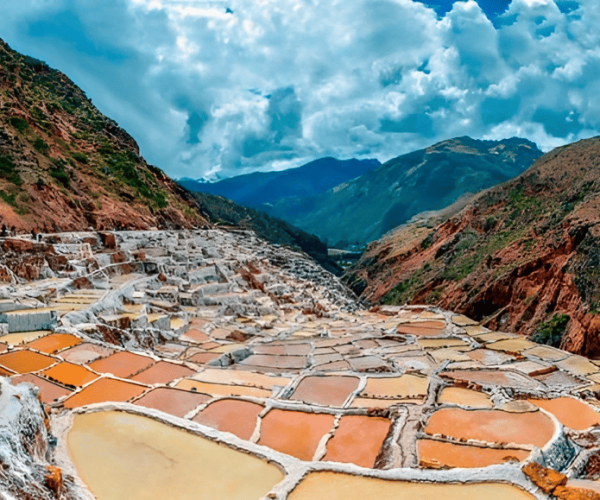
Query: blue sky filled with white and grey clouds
(212,89)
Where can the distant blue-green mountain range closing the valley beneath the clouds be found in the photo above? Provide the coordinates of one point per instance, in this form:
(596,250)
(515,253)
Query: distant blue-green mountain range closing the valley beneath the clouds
(371,198)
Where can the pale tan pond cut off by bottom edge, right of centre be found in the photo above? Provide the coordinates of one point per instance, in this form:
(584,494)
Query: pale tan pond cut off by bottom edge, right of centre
(338,486)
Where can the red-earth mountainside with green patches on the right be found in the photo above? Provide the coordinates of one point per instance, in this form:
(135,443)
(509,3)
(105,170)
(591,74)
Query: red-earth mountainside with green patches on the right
(521,257)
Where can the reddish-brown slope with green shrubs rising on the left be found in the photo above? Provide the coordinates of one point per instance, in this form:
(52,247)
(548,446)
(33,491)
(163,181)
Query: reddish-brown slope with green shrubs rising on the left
(65,166)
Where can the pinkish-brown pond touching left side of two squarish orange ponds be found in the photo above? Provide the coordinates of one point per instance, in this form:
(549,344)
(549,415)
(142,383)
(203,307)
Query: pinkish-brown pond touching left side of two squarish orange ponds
(231,415)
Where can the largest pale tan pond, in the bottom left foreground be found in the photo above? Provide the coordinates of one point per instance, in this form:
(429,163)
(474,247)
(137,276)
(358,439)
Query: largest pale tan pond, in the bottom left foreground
(121,456)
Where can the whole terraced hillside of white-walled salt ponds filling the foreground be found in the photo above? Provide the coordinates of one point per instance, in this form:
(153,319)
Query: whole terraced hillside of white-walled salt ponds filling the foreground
(152,364)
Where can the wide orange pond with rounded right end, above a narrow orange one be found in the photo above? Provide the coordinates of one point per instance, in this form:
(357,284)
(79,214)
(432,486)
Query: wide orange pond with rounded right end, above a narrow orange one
(492,426)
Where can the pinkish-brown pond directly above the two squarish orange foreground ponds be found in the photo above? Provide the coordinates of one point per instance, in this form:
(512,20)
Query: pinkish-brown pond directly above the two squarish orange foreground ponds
(327,391)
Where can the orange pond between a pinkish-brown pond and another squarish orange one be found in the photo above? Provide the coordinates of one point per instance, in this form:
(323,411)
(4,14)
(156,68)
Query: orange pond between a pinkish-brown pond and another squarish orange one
(294,432)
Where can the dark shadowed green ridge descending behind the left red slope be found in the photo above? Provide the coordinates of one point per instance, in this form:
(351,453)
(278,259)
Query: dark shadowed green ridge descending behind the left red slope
(223,211)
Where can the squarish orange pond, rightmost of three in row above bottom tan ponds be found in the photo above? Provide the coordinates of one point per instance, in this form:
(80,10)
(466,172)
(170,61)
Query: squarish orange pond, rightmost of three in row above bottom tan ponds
(357,440)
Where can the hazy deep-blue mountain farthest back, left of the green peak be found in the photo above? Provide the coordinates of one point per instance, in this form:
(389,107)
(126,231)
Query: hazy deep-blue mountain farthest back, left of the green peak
(261,188)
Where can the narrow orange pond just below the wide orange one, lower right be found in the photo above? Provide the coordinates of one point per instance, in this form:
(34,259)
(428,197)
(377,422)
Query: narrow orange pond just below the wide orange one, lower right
(434,454)
